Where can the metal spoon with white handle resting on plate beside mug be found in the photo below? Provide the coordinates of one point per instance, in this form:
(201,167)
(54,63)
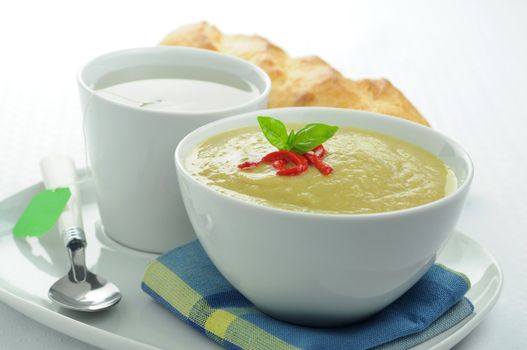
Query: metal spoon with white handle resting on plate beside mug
(80,289)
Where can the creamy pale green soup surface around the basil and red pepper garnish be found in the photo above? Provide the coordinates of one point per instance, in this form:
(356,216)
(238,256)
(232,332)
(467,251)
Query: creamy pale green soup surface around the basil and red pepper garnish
(372,173)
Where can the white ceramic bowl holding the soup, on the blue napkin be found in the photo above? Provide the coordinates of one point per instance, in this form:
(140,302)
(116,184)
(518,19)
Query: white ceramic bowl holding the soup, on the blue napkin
(322,269)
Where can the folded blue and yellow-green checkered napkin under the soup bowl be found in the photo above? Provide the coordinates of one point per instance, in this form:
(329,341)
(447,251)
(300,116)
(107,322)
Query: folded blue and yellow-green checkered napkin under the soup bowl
(187,284)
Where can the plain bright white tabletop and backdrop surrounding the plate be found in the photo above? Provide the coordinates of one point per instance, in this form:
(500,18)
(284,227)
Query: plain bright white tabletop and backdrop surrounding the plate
(463,64)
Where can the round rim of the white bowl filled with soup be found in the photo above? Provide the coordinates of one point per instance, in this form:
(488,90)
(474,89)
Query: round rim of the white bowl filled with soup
(443,201)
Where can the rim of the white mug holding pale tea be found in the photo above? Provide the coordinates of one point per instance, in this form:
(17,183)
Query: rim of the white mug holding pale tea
(266,80)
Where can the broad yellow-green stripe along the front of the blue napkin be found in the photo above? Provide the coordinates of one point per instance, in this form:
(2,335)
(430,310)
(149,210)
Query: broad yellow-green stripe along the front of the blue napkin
(219,324)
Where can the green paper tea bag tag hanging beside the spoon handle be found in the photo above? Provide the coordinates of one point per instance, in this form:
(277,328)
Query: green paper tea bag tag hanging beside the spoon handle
(42,212)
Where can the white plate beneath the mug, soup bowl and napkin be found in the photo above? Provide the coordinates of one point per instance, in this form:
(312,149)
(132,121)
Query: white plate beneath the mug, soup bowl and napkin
(30,266)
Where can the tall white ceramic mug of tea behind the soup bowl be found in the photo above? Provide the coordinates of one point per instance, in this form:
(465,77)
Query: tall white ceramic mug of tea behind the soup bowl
(131,149)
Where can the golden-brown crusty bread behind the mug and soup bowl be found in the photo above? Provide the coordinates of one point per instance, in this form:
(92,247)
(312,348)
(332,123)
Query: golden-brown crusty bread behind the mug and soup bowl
(304,81)
